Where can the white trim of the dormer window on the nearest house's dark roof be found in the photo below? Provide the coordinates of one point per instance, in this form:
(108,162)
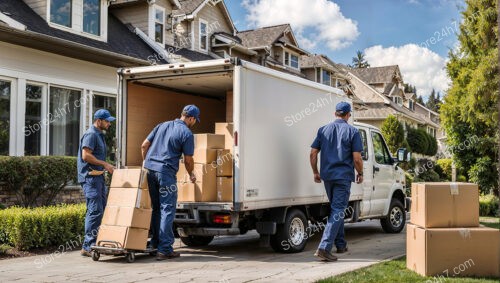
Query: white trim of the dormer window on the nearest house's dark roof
(77,20)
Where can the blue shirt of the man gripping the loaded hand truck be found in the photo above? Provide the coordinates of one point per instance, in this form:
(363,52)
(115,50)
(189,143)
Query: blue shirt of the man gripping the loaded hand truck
(93,139)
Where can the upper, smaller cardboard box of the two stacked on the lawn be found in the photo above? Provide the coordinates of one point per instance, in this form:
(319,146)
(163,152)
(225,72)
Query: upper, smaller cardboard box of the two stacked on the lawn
(445,205)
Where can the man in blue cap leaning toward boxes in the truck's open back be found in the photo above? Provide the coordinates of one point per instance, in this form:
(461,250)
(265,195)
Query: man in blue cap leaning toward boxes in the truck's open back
(161,152)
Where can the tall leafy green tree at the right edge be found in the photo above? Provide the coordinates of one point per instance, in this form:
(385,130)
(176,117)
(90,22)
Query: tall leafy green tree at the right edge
(469,112)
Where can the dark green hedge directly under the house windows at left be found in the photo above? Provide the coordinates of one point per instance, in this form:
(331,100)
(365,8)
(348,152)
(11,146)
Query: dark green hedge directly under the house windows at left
(36,180)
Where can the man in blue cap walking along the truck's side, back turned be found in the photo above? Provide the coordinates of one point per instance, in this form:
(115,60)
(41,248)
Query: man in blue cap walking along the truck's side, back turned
(340,146)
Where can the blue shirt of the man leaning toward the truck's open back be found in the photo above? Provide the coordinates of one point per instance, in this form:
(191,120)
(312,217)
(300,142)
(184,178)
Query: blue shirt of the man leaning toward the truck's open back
(169,140)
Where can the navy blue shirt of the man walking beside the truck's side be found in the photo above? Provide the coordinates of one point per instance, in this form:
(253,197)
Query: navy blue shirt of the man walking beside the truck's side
(336,142)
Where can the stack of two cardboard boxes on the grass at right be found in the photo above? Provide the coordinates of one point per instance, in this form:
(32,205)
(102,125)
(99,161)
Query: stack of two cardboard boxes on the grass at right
(444,237)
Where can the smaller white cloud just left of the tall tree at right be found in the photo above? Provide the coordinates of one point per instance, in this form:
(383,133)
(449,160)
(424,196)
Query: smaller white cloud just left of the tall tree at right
(419,66)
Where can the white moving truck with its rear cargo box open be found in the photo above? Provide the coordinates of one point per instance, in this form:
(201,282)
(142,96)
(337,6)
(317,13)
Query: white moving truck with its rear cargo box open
(276,117)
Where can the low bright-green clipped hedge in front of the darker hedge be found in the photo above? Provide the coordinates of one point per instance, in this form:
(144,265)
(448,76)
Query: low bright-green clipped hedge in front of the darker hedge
(26,228)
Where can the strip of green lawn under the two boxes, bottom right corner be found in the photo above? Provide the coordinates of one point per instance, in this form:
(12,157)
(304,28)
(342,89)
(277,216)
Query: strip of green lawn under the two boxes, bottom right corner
(394,271)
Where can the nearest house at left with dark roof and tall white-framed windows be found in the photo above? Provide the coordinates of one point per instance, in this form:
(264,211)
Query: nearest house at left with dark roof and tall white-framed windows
(58,65)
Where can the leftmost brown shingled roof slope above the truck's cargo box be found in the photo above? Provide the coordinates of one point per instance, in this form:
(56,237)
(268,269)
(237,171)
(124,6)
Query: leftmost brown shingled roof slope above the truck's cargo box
(265,36)
